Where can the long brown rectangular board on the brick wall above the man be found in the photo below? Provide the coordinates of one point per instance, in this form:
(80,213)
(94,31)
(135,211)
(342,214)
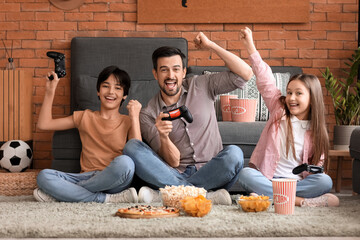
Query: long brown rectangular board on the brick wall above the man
(226,11)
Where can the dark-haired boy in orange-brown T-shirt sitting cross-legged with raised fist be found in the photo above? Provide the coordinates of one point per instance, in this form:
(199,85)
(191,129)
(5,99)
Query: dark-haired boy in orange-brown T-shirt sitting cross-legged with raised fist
(106,174)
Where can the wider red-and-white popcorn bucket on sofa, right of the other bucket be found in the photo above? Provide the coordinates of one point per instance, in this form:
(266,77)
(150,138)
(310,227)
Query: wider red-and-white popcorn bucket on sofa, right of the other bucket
(243,110)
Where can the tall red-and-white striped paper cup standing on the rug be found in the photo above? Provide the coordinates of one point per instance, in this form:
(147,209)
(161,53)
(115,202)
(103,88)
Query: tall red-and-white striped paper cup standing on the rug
(284,193)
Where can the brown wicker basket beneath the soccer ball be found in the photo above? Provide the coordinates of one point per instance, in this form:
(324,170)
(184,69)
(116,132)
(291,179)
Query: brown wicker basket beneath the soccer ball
(15,184)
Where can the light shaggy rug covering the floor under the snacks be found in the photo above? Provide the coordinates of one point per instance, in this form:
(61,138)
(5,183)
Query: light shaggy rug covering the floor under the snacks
(23,217)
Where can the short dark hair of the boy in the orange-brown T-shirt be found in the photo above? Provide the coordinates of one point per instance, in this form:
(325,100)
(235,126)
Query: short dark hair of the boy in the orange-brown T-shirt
(121,76)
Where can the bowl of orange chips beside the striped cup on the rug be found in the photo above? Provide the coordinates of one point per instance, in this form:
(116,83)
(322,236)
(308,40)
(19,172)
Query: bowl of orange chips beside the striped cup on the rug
(254,203)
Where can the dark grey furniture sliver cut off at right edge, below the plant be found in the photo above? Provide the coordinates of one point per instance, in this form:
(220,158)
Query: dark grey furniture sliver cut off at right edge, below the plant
(355,153)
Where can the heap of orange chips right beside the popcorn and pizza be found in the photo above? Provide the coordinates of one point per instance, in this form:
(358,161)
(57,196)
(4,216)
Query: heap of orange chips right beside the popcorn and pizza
(196,206)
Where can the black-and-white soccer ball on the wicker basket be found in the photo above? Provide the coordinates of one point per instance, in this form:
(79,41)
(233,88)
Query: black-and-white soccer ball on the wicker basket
(15,156)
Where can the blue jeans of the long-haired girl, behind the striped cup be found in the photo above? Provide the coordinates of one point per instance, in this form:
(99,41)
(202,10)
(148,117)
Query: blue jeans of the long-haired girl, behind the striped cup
(313,185)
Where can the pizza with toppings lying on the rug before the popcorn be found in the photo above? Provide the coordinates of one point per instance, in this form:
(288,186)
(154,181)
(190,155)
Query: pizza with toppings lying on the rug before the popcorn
(147,211)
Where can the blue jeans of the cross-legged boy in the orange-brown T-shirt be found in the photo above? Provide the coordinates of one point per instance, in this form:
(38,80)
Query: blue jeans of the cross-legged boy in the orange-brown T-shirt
(88,186)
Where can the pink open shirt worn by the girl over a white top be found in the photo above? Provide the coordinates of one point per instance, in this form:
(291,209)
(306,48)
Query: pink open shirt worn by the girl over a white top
(266,155)
